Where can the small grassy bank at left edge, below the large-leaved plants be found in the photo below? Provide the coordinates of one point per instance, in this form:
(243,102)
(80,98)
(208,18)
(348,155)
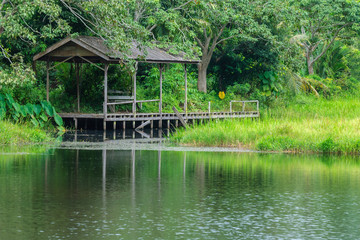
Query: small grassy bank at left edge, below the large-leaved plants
(16,134)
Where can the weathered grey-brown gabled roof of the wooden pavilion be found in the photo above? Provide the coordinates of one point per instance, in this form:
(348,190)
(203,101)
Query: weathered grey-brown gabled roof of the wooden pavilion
(95,50)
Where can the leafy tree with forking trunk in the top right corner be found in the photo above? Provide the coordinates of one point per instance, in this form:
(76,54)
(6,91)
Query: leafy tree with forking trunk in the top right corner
(320,23)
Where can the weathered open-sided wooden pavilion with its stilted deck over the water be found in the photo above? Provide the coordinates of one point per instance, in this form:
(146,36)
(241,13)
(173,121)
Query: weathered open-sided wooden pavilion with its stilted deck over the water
(93,50)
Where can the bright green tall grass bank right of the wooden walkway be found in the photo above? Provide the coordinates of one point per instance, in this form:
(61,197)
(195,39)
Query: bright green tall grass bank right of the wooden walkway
(305,125)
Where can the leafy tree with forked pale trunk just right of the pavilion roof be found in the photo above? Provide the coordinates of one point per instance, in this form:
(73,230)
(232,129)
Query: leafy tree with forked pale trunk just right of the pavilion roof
(213,22)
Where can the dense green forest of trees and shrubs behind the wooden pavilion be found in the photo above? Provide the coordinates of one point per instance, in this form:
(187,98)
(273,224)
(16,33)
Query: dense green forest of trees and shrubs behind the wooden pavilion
(277,52)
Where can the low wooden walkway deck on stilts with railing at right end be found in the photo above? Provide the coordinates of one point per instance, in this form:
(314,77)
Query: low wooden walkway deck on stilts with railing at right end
(162,119)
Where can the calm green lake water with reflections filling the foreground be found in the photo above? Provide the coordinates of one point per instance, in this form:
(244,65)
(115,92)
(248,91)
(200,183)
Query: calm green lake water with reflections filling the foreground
(147,194)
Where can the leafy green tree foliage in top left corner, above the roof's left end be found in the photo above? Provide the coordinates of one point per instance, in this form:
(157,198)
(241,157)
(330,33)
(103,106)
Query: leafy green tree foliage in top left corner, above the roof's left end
(29,21)
